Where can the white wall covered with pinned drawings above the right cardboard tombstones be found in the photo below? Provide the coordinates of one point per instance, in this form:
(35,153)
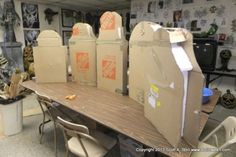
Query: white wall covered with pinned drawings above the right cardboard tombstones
(139,7)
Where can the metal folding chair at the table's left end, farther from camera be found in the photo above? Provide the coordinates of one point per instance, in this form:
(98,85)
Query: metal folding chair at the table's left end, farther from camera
(50,111)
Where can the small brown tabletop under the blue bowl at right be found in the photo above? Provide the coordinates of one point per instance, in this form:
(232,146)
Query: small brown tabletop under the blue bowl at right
(210,106)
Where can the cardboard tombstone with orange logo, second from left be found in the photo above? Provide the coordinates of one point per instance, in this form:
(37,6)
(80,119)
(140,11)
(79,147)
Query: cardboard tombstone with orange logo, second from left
(82,45)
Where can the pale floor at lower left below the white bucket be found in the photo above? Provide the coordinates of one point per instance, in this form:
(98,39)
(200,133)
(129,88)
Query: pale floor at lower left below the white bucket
(26,144)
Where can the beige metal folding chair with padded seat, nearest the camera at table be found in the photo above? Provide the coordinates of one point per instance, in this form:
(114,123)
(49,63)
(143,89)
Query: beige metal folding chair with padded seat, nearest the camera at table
(79,141)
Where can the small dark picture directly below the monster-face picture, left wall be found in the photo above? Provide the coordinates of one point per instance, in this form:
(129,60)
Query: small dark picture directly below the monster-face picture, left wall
(31,36)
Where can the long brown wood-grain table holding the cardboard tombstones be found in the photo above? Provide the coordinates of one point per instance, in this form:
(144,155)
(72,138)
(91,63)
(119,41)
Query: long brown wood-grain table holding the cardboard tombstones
(117,112)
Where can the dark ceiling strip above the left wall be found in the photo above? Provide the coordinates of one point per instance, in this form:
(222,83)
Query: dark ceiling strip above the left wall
(88,4)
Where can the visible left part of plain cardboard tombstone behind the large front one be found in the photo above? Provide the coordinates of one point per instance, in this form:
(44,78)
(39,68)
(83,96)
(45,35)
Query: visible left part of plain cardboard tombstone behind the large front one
(138,46)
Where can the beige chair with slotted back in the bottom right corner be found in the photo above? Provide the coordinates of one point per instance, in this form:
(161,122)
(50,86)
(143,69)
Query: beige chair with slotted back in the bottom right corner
(229,124)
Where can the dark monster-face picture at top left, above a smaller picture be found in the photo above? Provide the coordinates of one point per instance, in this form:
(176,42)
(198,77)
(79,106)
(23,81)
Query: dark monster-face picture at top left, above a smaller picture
(30,15)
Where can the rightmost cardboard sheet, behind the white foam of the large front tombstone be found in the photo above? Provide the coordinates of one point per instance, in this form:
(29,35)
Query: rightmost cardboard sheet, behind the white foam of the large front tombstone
(194,97)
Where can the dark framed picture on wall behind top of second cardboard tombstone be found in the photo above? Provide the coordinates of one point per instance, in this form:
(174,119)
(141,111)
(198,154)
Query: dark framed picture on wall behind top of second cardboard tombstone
(70,17)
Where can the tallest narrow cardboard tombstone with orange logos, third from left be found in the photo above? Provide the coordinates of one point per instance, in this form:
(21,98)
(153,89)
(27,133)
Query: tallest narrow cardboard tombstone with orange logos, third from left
(112,54)
